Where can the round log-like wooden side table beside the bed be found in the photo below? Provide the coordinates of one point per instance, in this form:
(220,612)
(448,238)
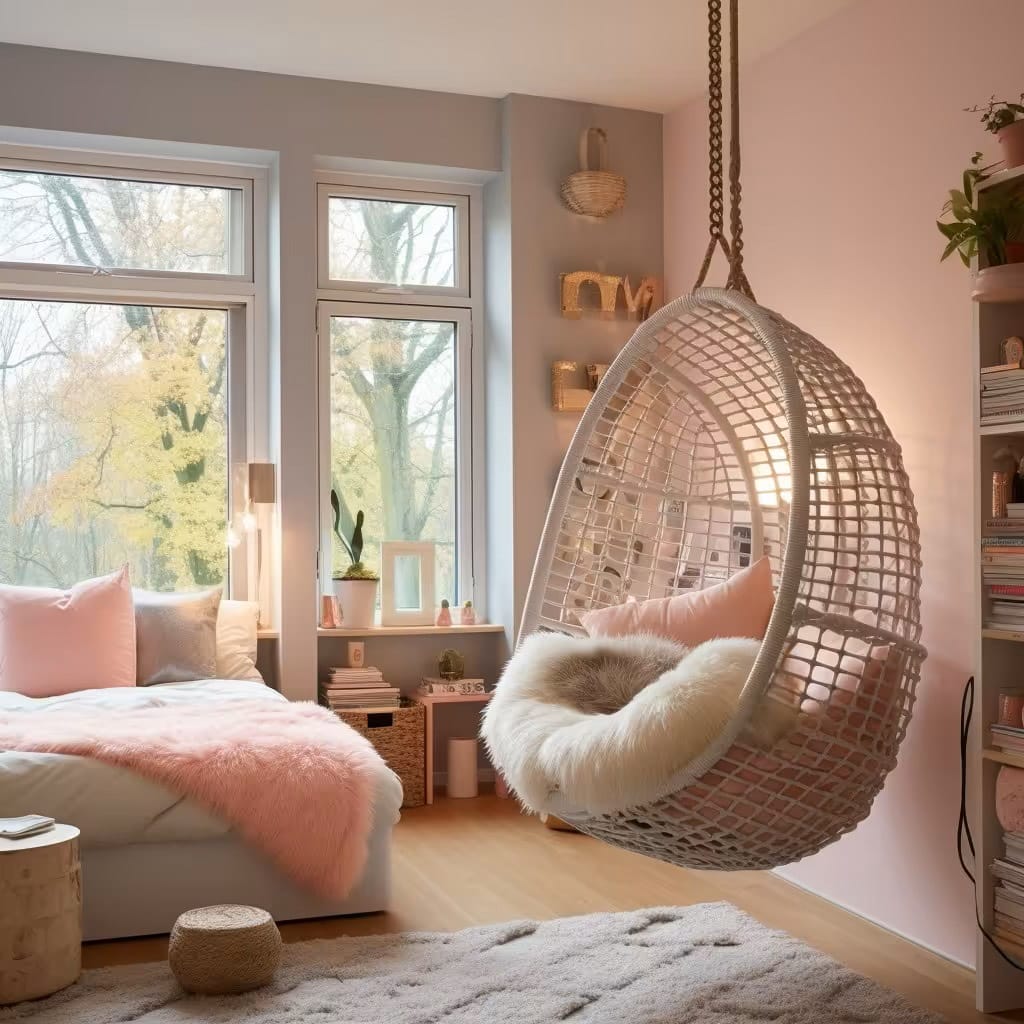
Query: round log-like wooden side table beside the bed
(41,923)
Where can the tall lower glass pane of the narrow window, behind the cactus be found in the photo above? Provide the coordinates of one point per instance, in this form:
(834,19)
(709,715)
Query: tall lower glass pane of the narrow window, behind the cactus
(393,437)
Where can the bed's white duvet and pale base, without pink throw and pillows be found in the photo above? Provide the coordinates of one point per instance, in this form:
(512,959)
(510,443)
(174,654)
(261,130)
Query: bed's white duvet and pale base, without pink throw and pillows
(148,854)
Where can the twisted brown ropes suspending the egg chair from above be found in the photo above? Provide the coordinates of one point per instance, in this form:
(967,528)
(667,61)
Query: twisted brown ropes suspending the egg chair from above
(734,250)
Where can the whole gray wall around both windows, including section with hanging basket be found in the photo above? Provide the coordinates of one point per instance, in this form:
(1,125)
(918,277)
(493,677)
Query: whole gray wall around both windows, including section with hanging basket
(520,148)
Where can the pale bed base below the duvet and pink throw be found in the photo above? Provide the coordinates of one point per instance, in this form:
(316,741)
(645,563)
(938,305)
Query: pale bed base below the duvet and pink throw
(141,889)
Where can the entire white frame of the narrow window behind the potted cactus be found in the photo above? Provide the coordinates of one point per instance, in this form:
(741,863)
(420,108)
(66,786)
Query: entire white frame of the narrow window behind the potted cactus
(461,306)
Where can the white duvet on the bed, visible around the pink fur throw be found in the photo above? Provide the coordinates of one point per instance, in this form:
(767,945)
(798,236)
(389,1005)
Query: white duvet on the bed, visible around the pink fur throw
(113,806)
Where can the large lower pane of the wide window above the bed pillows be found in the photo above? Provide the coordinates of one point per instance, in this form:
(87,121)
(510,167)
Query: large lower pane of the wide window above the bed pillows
(113,444)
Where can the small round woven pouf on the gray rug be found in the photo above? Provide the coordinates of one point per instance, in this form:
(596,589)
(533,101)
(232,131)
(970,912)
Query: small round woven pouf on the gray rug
(217,951)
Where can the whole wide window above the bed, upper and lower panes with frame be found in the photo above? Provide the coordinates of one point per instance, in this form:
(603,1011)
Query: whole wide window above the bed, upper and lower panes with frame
(123,405)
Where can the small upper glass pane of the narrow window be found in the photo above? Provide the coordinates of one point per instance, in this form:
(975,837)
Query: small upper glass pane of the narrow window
(392,243)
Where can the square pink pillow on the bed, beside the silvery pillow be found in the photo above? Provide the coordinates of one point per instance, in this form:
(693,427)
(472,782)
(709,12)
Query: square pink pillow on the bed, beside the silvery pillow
(60,642)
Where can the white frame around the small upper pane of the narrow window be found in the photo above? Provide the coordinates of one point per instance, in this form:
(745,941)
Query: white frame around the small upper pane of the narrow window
(385,291)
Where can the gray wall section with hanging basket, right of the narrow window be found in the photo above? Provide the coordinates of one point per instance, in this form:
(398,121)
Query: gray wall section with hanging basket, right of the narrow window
(527,330)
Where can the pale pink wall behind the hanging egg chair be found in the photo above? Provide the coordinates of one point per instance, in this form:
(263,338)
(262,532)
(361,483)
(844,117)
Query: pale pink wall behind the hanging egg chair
(852,134)
